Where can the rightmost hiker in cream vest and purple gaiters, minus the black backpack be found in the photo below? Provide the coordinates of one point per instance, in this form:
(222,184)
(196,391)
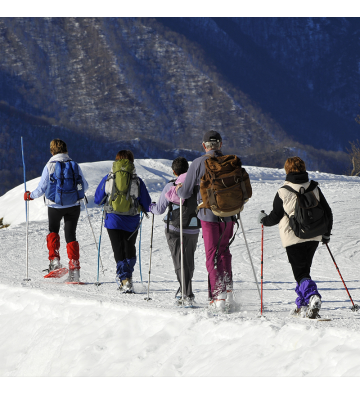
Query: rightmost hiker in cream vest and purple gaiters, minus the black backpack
(300,252)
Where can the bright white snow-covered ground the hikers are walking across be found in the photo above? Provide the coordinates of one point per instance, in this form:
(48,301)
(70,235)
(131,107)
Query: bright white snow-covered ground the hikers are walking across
(52,329)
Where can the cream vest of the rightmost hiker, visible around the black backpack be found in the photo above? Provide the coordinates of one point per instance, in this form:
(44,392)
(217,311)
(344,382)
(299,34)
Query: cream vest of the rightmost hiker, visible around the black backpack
(287,235)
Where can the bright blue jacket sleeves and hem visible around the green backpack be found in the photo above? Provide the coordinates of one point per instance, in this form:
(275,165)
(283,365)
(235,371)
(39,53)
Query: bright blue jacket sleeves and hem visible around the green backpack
(124,222)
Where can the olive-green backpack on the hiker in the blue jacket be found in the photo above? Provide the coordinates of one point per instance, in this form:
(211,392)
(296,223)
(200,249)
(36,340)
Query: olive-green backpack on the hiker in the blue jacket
(123,188)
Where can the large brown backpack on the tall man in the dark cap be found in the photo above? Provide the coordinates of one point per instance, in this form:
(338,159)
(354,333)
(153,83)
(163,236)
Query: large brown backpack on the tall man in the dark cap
(225,186)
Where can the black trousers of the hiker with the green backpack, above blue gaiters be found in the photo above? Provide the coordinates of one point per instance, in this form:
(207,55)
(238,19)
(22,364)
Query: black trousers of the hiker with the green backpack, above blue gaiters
(122,247)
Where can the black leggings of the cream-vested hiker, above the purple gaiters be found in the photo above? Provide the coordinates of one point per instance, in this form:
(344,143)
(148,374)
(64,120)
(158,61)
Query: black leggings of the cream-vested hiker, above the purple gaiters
(300,257)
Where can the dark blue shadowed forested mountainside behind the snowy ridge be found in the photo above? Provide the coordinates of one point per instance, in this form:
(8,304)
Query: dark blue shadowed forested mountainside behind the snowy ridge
(155,85)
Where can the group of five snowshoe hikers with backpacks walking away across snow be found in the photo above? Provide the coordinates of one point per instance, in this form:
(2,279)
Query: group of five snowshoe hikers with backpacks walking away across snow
(212,192)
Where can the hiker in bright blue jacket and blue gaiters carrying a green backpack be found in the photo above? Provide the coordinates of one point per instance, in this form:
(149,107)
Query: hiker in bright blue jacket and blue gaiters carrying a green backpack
(122,227)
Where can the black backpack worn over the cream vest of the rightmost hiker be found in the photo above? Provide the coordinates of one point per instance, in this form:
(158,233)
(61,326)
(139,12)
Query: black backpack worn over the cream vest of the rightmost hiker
(309,219)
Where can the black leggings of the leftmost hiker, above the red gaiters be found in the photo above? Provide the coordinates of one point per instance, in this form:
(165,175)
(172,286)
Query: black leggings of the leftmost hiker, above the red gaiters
(71,217)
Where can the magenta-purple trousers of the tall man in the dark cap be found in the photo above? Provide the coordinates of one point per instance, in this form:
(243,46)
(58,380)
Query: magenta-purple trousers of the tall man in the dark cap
(220,279)
